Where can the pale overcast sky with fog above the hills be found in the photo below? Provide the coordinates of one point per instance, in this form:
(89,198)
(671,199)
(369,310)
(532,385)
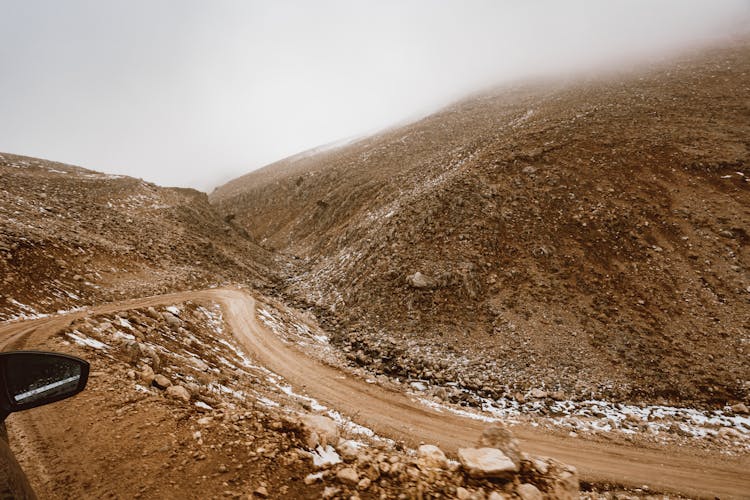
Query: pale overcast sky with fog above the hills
(193,93)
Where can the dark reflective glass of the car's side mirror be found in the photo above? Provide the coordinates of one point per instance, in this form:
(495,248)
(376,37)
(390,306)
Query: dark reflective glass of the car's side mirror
(37,378)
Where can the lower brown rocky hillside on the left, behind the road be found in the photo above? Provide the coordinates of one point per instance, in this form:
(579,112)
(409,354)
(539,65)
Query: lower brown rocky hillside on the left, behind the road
(70,236)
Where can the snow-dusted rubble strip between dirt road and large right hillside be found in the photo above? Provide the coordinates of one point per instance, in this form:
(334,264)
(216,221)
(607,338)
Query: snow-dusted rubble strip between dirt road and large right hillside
(726,430)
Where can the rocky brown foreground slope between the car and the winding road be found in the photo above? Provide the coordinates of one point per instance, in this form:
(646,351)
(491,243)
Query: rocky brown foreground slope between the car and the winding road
(175,404)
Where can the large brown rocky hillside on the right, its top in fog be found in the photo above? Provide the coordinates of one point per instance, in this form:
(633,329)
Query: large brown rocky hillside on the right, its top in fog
(587,239)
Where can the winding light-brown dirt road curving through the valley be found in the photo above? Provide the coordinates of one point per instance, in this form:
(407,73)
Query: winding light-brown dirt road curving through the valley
(395,415)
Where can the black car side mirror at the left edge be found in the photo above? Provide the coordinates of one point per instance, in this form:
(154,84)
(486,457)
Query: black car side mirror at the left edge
(34,378)
